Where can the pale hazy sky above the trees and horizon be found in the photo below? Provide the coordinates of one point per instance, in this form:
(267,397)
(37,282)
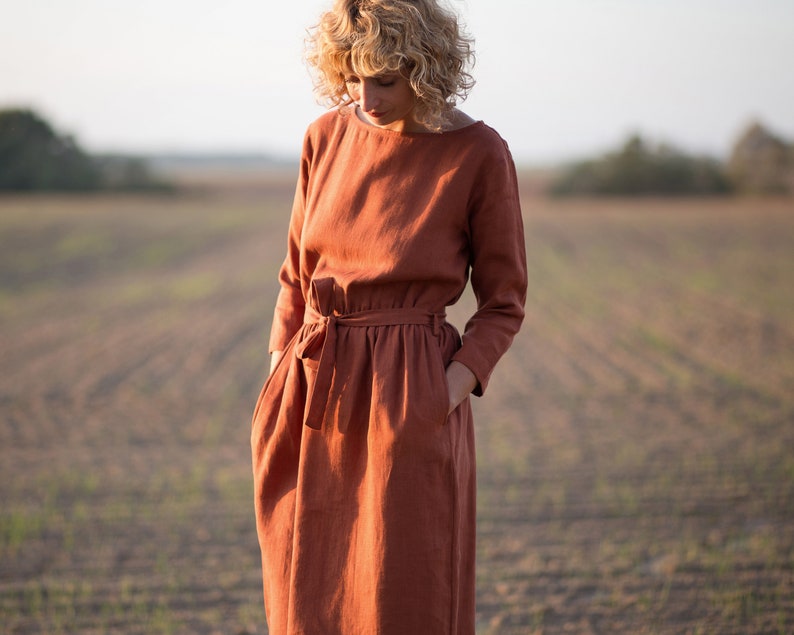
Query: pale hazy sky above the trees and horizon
(558,79)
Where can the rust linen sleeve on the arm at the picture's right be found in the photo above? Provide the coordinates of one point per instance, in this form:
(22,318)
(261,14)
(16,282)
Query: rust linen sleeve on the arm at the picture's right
(498,268)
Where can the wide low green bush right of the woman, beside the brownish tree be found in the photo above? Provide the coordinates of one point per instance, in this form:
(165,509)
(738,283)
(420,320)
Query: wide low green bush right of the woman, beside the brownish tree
(642,169)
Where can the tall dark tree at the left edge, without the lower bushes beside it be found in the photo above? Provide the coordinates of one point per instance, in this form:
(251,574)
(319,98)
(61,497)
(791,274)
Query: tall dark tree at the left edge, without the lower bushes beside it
(34,157)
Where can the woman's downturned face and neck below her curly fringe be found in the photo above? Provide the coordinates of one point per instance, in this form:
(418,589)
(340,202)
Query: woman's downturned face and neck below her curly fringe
(386,101)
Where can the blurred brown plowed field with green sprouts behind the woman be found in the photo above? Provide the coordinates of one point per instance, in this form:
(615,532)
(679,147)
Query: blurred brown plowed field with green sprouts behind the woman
(636,447)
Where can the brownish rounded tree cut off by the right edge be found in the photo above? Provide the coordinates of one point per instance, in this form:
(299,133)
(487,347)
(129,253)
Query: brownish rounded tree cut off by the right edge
(761,162)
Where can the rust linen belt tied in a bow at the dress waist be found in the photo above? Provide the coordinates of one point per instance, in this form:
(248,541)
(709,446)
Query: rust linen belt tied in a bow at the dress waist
(324,338)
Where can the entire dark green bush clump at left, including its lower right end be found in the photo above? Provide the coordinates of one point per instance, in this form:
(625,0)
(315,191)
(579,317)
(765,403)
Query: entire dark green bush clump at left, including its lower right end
(34,157)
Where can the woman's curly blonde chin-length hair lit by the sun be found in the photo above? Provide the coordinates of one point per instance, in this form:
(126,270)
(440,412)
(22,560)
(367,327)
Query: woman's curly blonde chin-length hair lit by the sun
(419,39)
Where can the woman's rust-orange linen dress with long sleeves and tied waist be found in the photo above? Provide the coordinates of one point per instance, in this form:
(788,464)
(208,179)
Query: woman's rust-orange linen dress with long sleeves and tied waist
(364,487)
